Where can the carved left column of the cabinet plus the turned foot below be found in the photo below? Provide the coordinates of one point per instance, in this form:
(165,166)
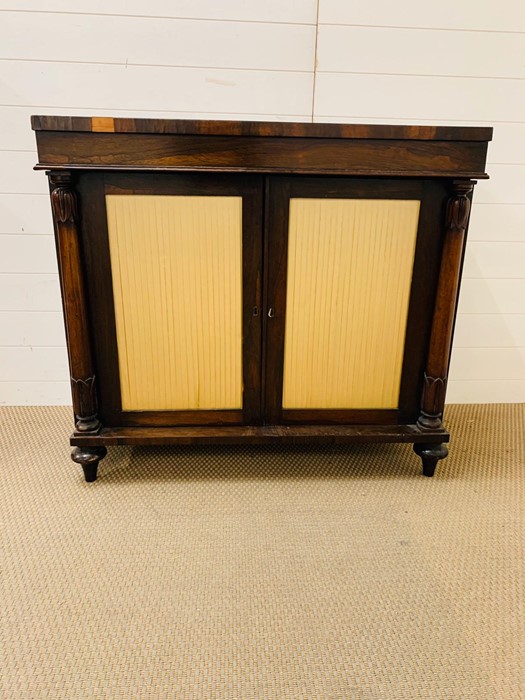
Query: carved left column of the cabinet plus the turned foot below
(83,385)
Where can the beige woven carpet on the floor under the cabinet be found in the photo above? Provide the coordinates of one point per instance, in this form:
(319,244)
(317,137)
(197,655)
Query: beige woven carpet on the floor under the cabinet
(238,573)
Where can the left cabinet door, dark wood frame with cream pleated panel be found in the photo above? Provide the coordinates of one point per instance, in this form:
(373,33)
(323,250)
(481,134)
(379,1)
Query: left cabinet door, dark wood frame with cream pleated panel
(173,265)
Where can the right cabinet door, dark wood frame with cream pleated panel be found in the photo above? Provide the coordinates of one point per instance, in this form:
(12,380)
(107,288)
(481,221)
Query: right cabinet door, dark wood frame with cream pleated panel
(352,274)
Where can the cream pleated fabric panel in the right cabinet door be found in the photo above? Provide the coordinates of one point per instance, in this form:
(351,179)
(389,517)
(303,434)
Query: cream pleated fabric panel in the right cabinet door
(350,267)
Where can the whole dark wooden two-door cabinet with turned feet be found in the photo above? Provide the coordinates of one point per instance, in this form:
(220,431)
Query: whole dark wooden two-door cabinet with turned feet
(233,282)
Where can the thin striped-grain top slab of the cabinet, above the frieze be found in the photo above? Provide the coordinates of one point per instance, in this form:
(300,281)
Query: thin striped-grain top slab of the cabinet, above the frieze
(127,125)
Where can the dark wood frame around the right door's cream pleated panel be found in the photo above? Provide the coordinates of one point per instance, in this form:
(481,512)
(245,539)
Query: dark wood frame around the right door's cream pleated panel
(432,195)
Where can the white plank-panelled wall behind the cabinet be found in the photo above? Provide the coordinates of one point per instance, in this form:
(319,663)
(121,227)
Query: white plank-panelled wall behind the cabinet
(322,60)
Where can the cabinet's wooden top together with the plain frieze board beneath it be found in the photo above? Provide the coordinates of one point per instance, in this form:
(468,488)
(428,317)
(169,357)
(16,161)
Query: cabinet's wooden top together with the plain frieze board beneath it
(107,143)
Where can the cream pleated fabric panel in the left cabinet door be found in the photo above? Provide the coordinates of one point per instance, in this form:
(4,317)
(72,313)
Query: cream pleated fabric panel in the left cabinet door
(176,264)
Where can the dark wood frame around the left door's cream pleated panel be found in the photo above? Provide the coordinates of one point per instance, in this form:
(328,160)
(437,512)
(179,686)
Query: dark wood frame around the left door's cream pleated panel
(92,187)
